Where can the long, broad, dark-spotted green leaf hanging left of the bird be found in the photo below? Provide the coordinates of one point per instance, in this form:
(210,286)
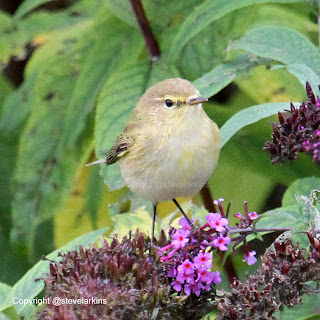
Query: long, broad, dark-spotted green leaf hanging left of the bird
(57,136)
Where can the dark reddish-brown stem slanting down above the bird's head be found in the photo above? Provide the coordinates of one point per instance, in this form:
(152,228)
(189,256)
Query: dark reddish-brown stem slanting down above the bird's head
(144,25)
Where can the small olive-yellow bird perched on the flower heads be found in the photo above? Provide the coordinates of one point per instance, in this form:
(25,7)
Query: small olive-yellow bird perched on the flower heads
(169,147)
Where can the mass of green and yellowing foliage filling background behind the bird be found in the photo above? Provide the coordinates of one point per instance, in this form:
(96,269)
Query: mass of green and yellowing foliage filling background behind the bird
(86,67)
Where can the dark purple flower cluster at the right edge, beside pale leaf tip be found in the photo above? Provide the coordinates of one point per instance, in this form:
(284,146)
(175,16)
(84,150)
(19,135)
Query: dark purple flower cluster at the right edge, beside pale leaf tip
(298,130)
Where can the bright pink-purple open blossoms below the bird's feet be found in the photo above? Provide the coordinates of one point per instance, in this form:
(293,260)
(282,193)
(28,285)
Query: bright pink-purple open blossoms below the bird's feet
(189,253)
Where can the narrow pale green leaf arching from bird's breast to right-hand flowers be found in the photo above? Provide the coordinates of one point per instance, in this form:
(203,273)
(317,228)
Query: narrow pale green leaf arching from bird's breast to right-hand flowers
(248,116)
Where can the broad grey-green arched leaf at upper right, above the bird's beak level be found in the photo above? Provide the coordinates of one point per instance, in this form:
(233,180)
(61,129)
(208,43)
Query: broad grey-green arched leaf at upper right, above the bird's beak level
(285,45)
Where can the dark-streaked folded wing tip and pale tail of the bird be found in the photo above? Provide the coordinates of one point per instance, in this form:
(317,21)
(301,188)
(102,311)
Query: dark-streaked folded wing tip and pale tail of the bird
(118,150)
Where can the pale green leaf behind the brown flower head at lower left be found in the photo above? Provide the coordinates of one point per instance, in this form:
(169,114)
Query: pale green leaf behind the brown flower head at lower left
(28,288)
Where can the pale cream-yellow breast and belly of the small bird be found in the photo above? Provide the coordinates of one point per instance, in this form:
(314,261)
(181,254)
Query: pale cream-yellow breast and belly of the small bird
(174,162)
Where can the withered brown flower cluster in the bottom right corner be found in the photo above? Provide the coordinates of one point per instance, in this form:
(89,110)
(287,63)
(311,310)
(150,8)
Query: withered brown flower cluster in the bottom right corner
(283,278)
